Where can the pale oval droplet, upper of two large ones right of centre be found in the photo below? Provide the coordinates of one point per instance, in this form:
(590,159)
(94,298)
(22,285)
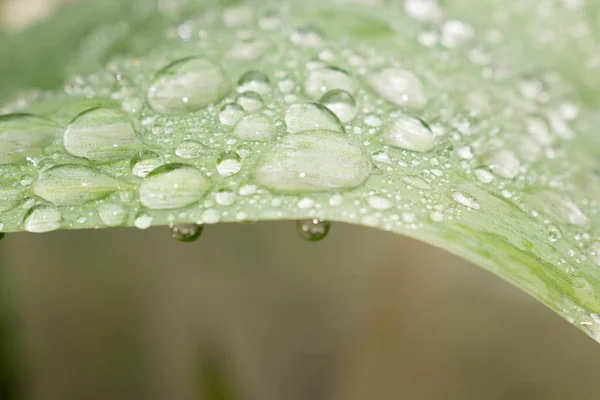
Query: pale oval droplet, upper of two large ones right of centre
(399,86)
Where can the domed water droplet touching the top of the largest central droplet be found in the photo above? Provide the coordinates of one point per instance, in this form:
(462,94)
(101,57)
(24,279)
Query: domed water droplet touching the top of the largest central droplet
(311,116)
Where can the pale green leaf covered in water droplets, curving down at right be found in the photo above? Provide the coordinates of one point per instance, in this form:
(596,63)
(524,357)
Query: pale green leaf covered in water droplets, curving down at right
(468,125)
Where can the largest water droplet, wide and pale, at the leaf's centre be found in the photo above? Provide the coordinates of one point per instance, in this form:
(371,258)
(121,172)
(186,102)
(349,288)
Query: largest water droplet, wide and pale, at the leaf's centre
(313,160)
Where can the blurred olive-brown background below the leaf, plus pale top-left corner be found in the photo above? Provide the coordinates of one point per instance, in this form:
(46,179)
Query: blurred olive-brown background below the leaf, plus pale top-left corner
(253,312)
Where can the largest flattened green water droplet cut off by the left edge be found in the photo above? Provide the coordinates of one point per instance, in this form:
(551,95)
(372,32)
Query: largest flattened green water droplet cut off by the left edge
(23,135)
